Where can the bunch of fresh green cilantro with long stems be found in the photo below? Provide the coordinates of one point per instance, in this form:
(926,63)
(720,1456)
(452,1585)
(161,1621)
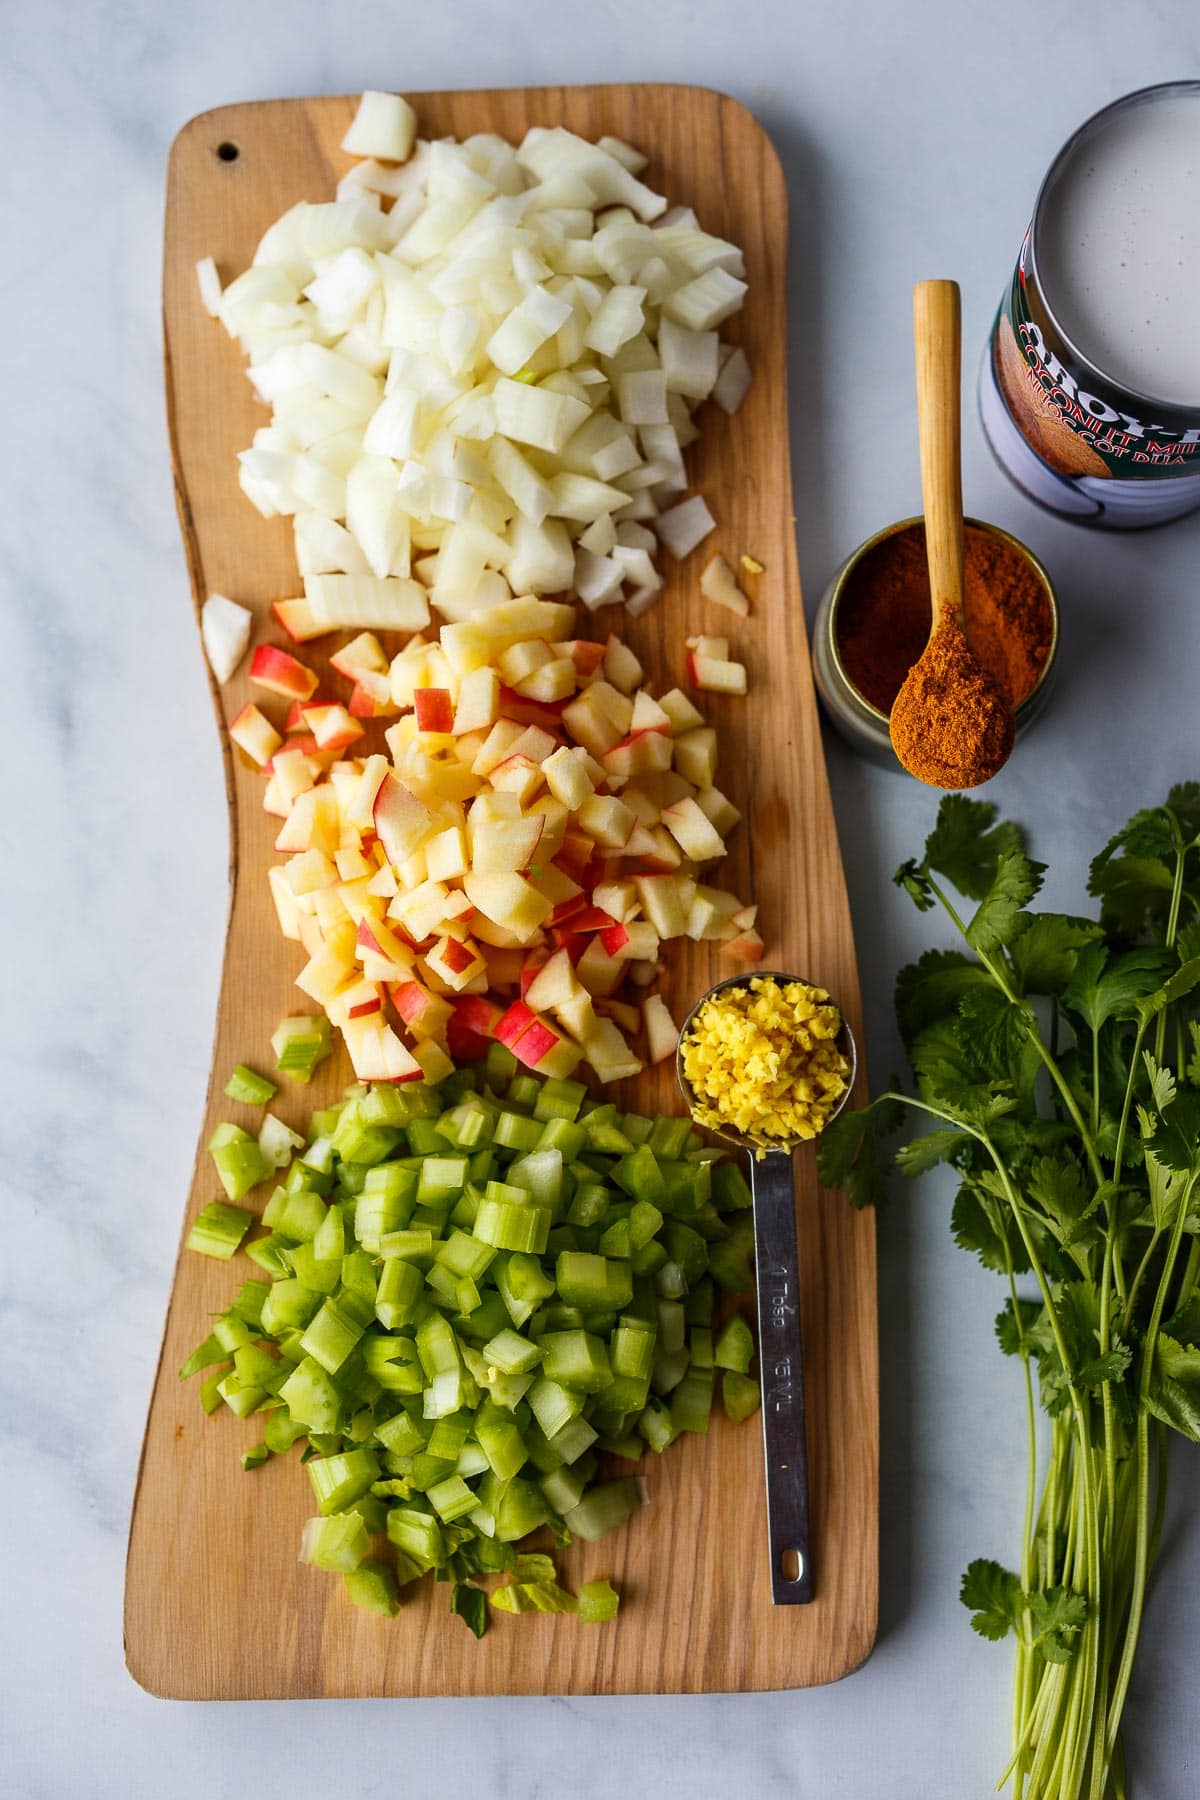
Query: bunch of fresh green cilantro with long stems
(1059,1061)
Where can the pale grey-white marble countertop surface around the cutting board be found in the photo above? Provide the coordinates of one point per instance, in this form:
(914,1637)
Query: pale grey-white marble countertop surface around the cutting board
(915,138)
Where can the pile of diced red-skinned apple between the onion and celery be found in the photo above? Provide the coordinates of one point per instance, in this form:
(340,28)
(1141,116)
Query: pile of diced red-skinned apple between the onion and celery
(512,868)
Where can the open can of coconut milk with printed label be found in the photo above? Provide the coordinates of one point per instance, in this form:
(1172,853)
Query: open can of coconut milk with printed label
(1091,384)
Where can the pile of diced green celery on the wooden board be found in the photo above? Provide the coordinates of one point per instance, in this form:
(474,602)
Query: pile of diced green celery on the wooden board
(476,1293)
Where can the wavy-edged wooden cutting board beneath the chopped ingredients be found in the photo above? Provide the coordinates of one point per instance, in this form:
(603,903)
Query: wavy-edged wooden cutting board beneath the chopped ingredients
(217,1603)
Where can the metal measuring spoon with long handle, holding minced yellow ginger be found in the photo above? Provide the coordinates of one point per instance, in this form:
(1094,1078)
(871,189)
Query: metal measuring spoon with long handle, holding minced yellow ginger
(782,1353)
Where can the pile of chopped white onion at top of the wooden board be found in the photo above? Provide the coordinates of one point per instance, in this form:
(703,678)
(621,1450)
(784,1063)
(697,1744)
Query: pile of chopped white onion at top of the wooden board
(483,366)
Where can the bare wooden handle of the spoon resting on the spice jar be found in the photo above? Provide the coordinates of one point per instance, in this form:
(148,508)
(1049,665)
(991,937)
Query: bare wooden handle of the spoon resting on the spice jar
(938,341)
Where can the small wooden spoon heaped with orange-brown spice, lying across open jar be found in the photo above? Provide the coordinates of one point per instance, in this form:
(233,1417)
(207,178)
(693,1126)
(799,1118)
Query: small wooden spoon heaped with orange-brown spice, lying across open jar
(951,724)
